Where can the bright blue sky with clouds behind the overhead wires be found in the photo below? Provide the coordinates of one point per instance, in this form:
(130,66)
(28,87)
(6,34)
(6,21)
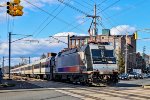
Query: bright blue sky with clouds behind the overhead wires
(132,13)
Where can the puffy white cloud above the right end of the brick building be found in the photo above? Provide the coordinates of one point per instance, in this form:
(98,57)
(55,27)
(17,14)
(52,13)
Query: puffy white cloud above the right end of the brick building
(122,30)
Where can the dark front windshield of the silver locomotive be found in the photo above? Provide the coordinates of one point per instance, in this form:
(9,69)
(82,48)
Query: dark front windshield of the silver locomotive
(103,56)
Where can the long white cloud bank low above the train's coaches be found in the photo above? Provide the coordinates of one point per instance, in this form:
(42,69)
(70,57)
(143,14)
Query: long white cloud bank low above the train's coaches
(36,48)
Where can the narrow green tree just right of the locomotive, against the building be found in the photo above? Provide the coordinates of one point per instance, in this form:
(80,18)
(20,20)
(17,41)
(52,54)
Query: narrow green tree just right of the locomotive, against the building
(121,62)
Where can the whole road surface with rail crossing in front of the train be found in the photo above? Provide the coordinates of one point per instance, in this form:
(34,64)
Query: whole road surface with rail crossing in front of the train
(48,90)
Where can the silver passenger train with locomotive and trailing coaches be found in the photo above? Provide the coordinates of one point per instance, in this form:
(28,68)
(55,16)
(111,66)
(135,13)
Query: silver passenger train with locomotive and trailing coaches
(92,64)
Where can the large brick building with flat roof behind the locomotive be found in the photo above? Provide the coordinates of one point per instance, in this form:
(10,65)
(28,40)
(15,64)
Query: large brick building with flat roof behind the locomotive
(118,41)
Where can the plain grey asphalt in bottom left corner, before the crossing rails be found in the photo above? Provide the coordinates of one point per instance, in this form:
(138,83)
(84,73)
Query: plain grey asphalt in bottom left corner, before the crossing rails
(35,95)
